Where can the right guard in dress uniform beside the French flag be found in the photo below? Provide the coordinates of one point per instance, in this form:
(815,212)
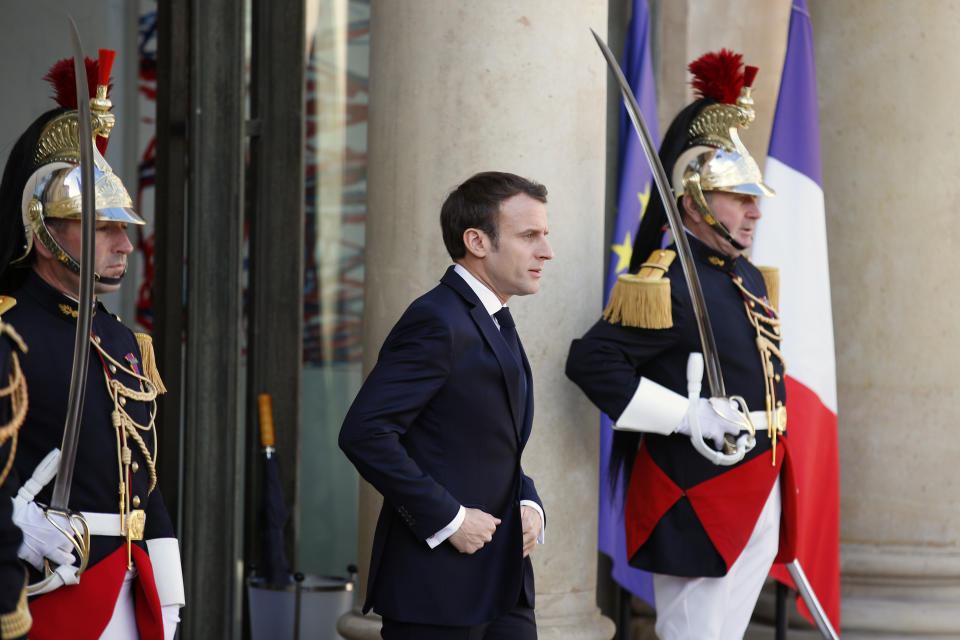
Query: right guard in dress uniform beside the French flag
(708,532)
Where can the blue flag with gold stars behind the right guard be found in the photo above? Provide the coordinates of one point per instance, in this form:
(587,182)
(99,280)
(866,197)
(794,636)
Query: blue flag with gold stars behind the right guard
(635,183)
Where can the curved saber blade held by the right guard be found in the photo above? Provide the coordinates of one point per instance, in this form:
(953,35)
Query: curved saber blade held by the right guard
(711,359)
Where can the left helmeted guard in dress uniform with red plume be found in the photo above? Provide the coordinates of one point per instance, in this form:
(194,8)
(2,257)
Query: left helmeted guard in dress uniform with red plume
(129,584)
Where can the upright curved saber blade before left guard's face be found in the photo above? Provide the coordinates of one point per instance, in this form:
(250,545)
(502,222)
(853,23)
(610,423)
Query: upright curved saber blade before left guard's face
(81,347)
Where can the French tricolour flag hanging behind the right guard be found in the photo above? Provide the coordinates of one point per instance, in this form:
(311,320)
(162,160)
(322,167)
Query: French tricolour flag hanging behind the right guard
(792,236)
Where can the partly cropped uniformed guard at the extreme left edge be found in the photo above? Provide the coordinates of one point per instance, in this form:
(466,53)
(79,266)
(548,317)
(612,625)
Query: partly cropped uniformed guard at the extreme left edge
(14,613)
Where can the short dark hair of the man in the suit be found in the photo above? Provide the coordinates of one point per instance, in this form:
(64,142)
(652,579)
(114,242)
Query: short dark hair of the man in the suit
(475,204)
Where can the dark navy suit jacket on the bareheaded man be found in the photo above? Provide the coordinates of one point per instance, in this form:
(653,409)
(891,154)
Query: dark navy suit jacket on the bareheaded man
(441,421)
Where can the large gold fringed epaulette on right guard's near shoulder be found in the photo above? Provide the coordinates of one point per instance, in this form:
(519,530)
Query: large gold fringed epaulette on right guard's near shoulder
(643,299)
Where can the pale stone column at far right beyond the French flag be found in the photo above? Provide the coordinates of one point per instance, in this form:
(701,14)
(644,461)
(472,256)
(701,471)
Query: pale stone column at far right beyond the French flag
(890,166)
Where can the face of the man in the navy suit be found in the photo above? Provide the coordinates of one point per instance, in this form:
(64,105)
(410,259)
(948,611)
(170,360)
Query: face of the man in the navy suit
(515,265)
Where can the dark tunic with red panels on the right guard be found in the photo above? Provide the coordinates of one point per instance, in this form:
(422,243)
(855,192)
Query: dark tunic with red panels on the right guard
(684,515)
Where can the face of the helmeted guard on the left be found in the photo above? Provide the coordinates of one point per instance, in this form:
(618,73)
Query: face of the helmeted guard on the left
(112,248)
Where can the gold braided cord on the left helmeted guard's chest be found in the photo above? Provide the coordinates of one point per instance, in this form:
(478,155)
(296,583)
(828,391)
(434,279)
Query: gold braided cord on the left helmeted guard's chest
(134,519)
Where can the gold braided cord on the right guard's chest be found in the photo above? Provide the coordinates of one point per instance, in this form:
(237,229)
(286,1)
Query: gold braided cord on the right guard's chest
(766,321)
